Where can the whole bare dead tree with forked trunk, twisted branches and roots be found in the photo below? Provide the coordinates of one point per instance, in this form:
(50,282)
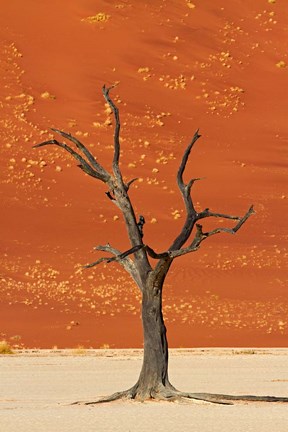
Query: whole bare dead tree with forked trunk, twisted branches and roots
(153,382)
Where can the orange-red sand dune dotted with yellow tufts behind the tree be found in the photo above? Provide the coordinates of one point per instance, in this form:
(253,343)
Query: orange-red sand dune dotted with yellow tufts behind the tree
(220,66)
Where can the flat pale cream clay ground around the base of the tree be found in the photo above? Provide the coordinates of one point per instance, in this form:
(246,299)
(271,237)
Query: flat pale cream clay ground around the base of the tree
(36,390)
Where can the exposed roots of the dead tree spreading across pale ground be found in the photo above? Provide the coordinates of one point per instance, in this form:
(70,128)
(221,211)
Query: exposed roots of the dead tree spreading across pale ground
(173,395)
